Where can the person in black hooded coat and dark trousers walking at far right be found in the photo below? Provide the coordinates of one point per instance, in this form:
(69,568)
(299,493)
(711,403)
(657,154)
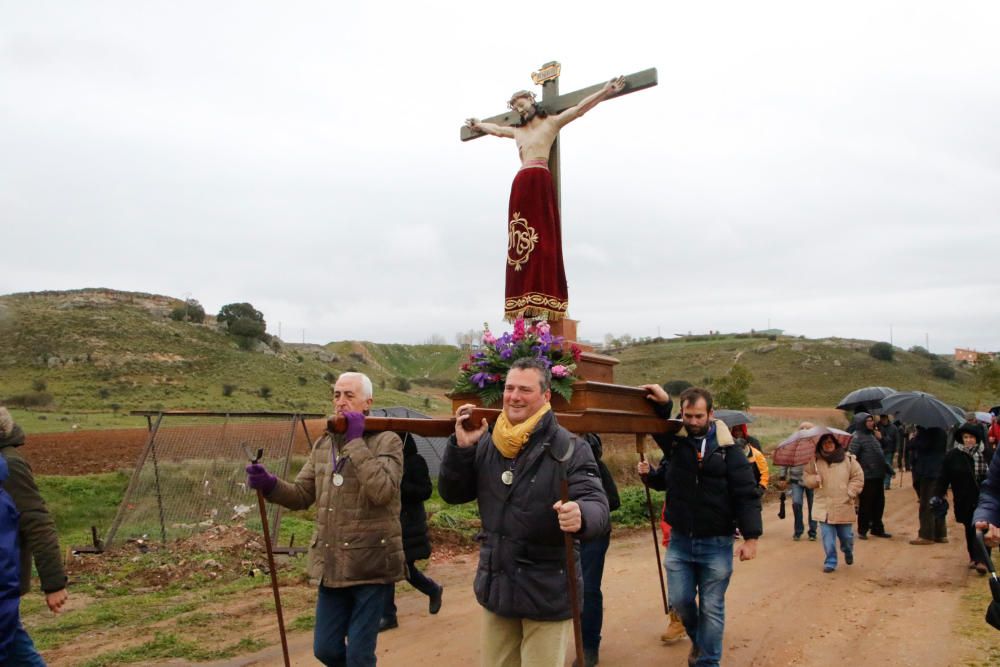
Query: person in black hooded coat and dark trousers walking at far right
(964,469)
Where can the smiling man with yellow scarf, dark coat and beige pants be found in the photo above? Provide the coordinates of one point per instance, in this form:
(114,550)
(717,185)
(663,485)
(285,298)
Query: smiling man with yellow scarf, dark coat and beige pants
(515,473)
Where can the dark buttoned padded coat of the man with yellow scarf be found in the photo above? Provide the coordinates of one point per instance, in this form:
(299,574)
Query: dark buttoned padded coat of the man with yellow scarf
(522,555)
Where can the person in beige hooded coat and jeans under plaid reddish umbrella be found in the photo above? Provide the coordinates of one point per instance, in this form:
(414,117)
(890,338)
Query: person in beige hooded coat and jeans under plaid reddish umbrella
(839,479)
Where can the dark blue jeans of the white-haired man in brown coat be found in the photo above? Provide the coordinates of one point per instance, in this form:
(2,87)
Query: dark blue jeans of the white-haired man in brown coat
(350,613)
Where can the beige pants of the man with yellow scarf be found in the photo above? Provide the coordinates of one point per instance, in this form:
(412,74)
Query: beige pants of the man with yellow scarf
(518,642)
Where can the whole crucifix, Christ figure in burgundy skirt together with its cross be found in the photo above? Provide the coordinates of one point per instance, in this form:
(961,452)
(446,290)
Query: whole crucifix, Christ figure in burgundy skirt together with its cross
(536,280)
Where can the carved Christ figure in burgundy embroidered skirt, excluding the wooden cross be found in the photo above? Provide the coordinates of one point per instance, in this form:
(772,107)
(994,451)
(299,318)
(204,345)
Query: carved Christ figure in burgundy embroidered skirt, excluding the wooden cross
(536,279)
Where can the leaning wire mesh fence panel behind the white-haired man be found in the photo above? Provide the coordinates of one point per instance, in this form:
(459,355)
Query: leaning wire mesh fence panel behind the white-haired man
(191,474)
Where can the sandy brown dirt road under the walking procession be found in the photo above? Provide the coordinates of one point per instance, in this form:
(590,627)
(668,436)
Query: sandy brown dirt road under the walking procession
(896,605)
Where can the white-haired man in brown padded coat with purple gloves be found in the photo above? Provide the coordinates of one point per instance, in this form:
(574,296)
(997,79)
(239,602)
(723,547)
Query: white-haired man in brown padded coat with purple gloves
(354,480)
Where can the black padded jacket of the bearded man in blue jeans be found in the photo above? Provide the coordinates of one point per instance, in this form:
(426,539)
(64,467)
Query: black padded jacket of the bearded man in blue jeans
(712,497)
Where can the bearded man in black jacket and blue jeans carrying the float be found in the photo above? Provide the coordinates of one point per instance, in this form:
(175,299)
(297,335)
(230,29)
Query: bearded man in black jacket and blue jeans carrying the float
(711,492)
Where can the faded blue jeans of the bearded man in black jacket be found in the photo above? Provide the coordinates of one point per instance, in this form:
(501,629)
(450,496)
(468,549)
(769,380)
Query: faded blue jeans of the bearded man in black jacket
(700,566)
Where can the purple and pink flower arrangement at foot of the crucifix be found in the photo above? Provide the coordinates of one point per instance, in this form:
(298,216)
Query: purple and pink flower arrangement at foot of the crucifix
(484,373)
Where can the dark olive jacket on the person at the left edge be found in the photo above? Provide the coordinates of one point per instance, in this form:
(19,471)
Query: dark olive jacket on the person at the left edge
(37,528)
